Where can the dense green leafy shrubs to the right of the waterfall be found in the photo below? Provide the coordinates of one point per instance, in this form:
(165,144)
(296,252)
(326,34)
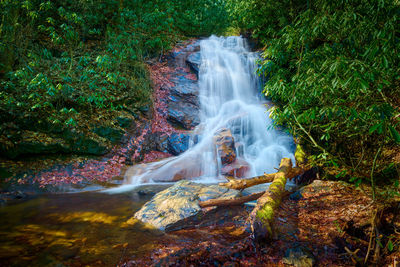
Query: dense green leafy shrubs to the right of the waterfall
(333,69)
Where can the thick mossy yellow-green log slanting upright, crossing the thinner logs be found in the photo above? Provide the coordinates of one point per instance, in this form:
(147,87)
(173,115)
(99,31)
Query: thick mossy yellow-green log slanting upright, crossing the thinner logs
(262,217)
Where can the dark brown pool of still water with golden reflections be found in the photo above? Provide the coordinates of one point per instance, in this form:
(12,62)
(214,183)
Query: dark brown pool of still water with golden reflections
(78,229)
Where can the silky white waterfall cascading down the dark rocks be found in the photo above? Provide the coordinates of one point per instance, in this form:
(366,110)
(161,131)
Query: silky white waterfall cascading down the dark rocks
(229,98)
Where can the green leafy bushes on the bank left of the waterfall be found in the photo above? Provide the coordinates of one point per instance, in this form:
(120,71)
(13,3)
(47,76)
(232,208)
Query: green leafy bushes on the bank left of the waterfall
(65,63)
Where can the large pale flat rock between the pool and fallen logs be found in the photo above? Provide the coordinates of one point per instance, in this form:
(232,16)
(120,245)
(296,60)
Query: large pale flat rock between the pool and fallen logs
(167,209)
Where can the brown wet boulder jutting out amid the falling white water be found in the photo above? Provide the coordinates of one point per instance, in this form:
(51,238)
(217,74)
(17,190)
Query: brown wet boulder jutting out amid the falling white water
(225,144)
